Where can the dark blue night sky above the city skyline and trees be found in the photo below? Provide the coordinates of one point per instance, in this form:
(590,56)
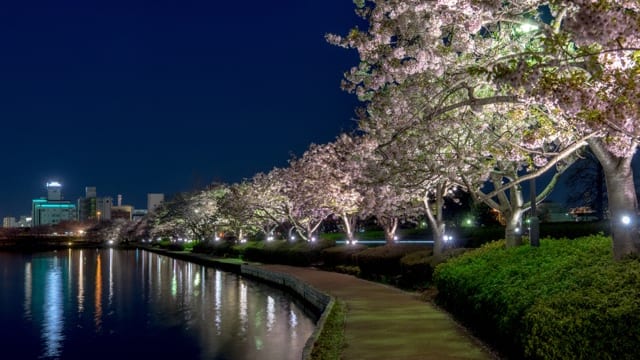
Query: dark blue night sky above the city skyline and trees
(164,96)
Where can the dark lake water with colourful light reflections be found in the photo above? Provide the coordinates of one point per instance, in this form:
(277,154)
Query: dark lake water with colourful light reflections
(117,304)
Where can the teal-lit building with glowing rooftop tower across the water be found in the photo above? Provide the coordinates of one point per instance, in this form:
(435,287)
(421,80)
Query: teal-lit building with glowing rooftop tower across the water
(53,209)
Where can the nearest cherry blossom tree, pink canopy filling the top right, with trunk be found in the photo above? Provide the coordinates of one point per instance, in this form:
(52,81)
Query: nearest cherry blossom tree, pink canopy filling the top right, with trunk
(545,56)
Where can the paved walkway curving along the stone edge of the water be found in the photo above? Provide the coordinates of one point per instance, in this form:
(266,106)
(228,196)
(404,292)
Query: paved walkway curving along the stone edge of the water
(387,323)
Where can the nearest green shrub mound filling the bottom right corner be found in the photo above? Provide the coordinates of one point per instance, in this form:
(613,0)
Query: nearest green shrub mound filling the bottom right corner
(598,320)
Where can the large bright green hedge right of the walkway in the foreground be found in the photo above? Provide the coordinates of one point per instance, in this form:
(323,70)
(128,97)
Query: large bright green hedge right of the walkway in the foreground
(565,299)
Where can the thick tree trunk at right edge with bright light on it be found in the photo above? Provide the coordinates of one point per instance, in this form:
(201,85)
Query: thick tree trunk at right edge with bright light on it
(623,204)
